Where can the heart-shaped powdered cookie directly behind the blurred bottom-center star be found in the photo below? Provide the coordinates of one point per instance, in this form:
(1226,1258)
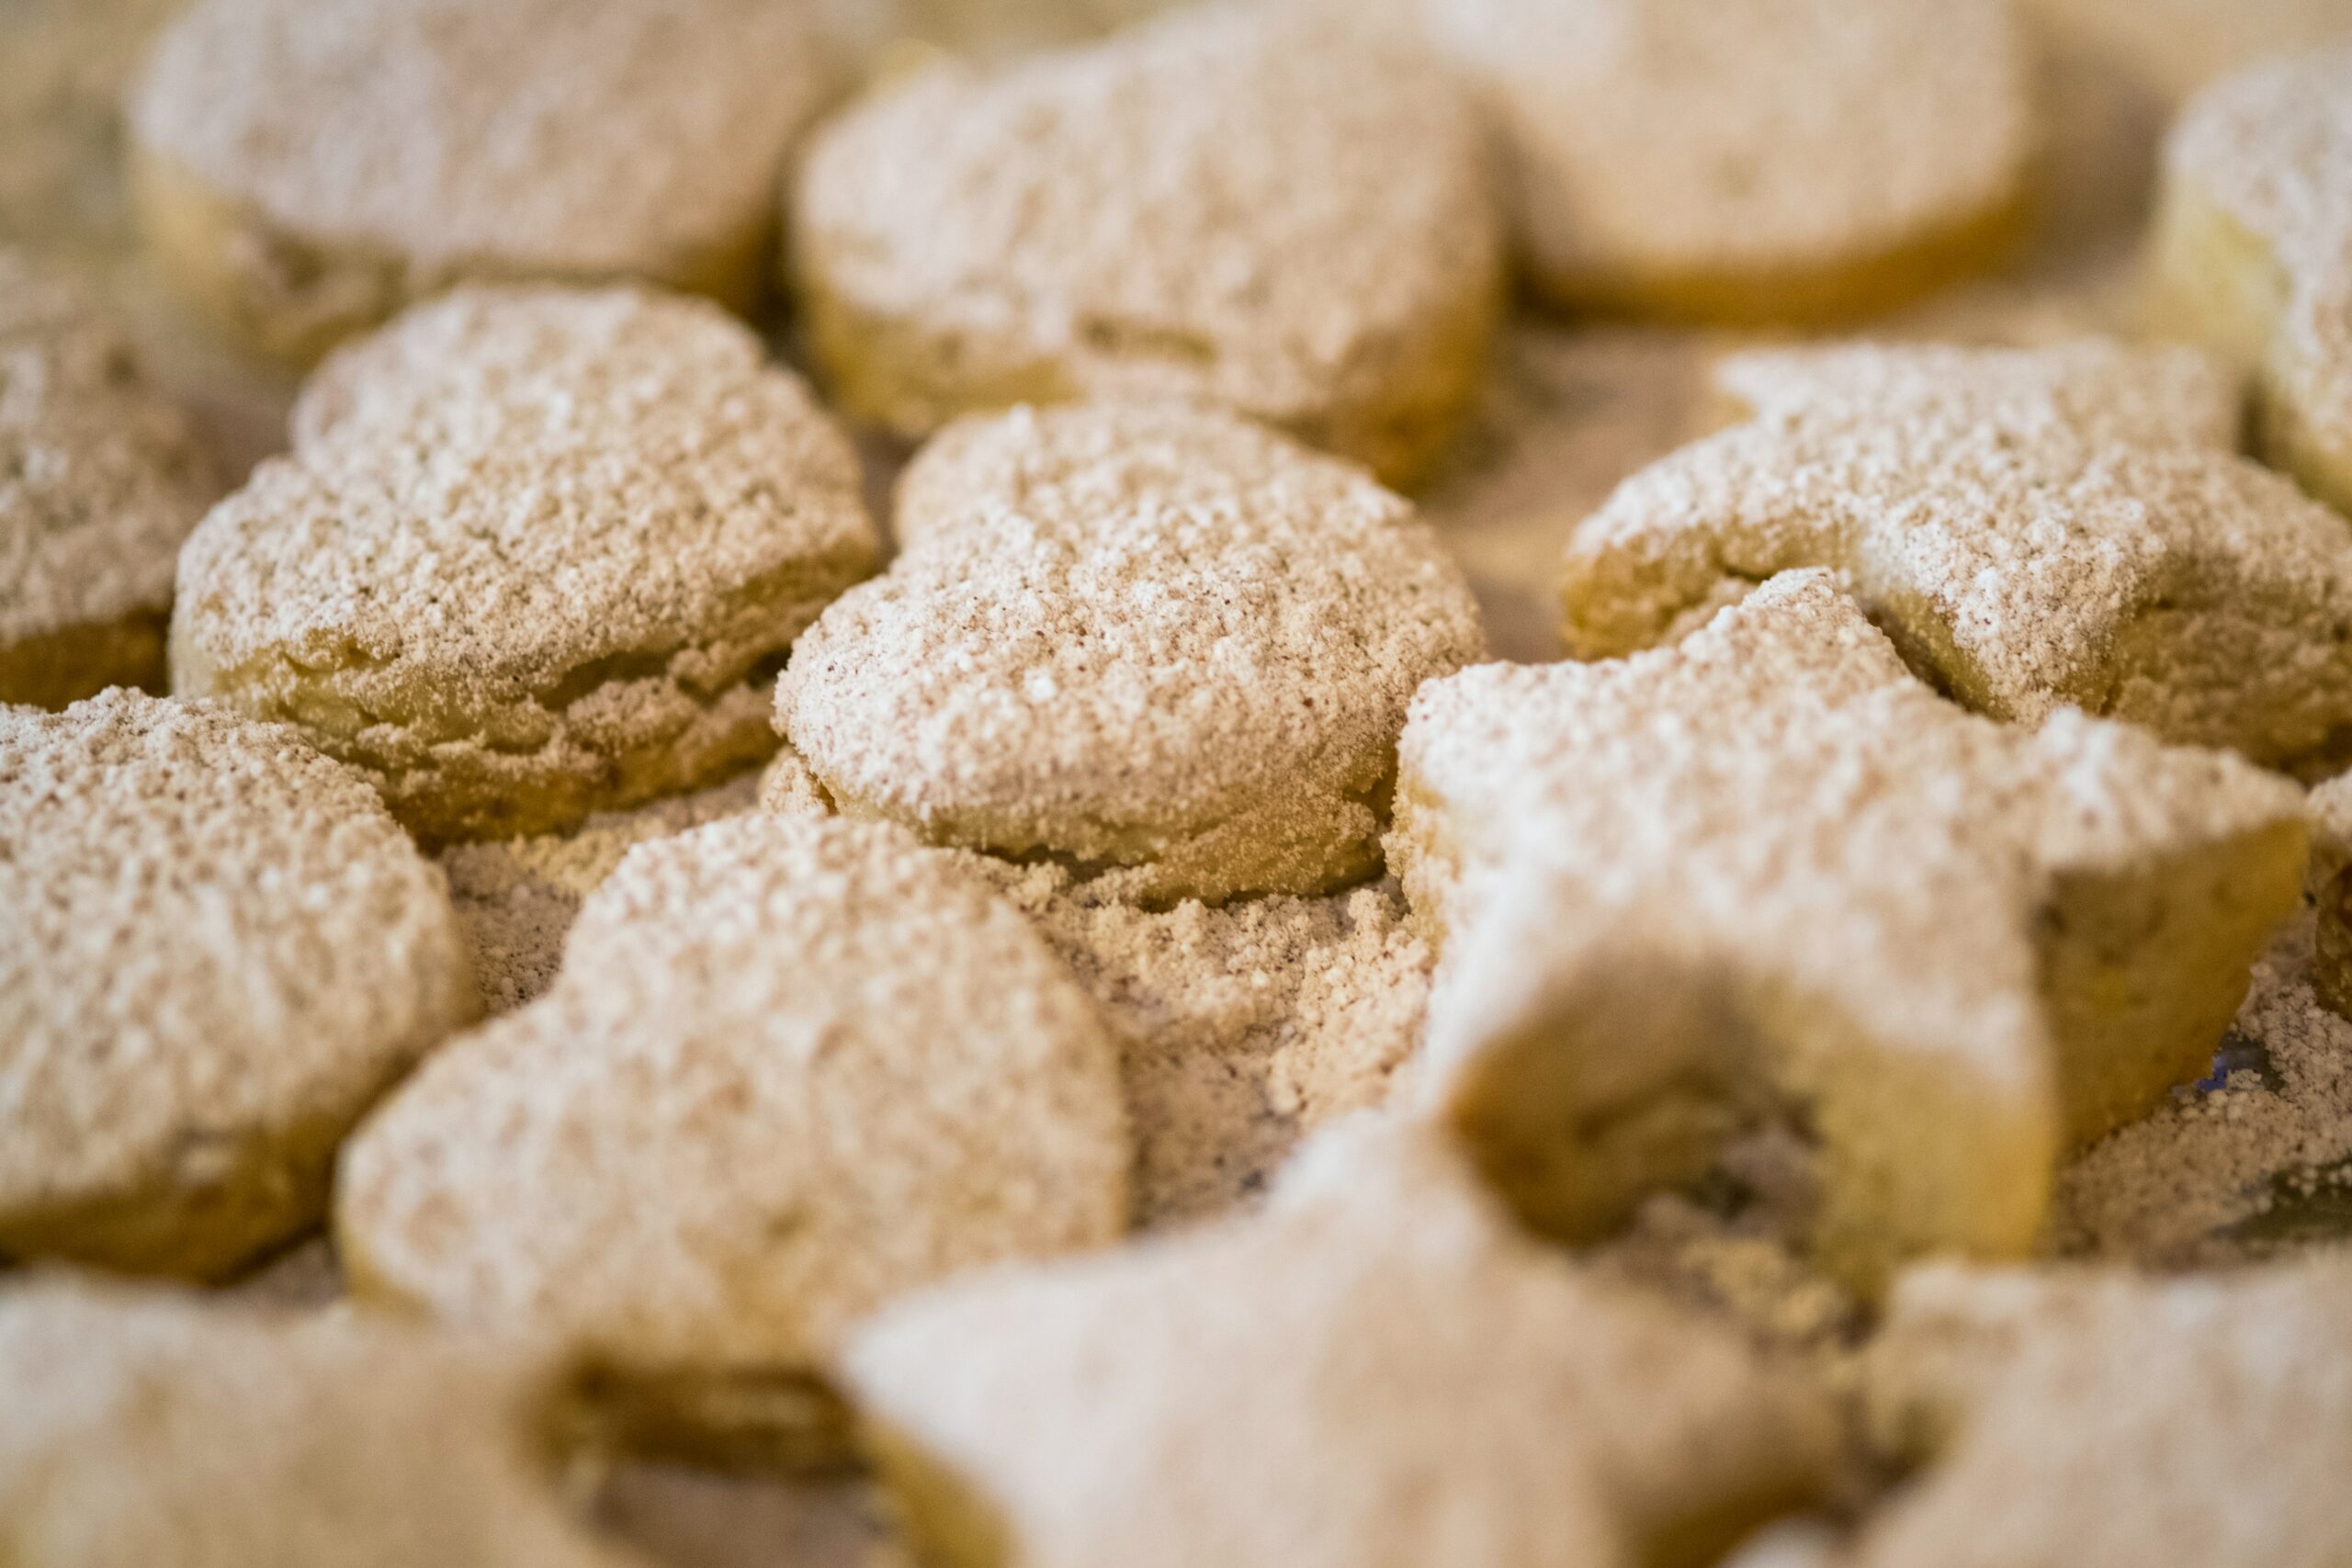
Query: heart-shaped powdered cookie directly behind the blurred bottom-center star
(789,1071)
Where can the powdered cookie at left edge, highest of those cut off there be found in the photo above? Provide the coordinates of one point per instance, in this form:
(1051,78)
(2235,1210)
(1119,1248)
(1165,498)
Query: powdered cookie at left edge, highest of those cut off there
(100,481)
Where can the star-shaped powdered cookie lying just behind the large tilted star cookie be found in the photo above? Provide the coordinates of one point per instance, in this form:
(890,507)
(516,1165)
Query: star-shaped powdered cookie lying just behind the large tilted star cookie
(2038,530)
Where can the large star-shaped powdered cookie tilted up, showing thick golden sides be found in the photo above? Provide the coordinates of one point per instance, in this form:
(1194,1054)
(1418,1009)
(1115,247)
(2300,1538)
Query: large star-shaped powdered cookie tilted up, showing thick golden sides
(1770,873)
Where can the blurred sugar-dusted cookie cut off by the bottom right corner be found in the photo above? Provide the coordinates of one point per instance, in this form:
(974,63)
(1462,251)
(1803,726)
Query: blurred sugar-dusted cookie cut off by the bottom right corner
(2090,1419)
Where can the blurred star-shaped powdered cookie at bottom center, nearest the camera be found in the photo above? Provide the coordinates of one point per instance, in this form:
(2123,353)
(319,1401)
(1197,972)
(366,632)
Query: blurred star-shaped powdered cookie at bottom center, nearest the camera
(1377,1372)
